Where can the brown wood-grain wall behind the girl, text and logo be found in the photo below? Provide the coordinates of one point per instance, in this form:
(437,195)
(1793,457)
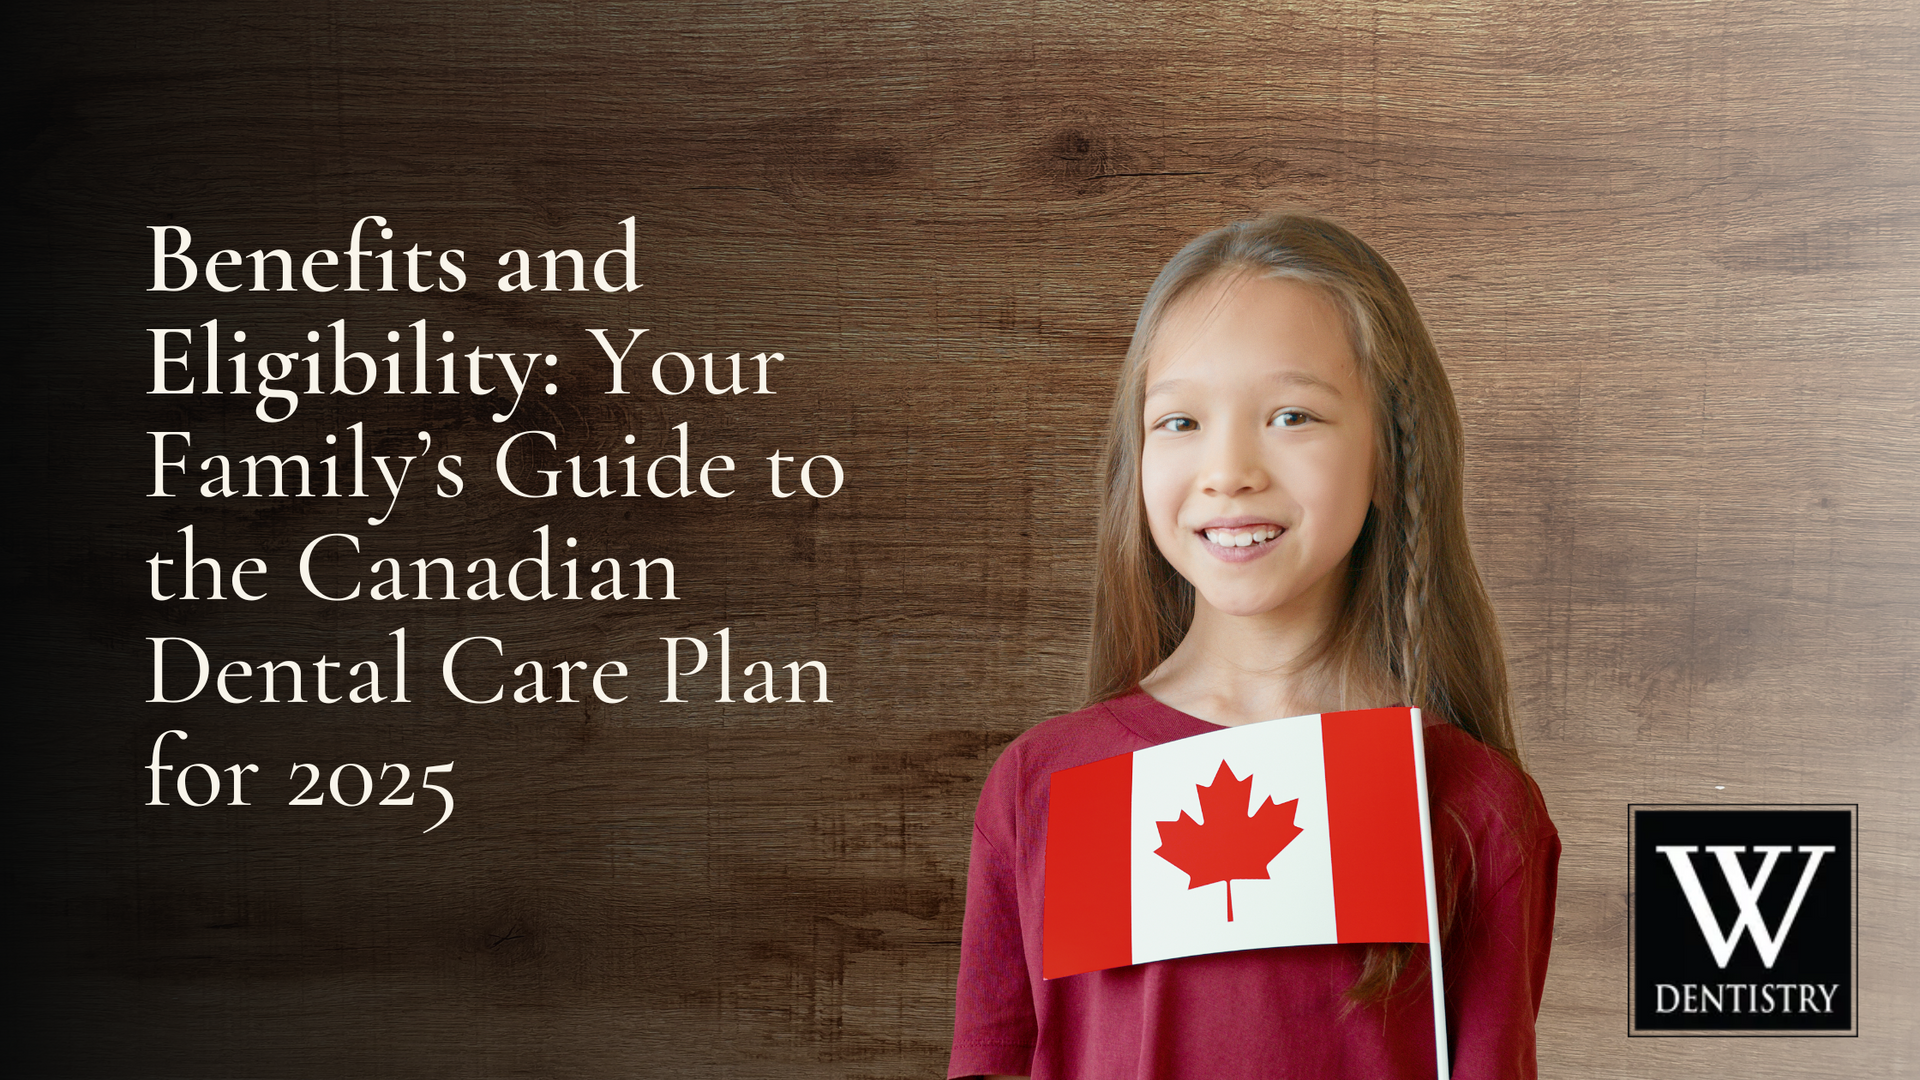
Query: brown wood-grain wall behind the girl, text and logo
(1669,253)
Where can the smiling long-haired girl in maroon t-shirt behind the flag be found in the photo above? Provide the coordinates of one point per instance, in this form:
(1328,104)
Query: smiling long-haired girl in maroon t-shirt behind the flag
(1282,535)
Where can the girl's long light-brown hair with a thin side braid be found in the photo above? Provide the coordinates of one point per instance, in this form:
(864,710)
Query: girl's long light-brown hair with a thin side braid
(1416,620)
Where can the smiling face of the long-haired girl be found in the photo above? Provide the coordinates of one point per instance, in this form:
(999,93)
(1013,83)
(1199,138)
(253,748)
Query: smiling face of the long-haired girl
(1260,454)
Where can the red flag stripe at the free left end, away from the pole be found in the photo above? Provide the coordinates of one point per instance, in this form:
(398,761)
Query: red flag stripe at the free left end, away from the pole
(1088,918)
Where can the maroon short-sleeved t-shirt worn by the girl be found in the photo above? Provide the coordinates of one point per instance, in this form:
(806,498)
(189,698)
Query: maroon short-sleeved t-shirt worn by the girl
(1259,1014)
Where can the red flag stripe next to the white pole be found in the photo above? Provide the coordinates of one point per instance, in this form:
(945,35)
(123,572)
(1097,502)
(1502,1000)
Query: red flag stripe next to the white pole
(1374,823)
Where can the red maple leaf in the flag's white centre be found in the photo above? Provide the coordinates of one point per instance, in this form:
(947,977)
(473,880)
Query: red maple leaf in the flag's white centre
(1232,845)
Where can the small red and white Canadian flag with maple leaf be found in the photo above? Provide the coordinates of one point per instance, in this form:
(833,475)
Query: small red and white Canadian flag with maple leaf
(1285,833)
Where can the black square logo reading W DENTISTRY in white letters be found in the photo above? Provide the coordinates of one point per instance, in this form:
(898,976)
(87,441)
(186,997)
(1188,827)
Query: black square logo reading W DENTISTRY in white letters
(1744,921)
